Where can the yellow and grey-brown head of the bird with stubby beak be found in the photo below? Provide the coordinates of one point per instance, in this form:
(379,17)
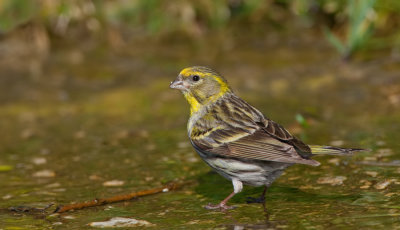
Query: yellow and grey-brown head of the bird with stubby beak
(200,86)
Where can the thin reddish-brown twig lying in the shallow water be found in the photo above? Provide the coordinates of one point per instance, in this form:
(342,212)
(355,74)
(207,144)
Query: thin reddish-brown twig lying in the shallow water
(118,198)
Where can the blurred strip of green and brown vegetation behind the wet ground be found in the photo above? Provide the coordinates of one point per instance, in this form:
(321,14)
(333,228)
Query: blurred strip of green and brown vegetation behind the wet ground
(349,26)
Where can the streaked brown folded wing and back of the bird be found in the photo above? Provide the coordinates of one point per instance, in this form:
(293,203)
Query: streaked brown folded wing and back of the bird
(235,129)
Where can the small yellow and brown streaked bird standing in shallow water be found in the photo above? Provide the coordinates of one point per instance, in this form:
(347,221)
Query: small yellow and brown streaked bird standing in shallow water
(235,139)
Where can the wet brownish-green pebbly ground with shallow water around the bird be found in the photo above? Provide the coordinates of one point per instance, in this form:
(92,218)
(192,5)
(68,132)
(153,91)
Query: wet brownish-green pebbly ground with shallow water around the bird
(92,122)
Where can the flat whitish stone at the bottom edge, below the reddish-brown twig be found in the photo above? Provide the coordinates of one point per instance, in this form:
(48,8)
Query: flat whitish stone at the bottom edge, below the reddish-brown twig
(121,222)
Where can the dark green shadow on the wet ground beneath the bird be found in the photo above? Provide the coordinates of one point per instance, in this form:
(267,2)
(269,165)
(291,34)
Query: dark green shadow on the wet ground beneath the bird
(215,188)
